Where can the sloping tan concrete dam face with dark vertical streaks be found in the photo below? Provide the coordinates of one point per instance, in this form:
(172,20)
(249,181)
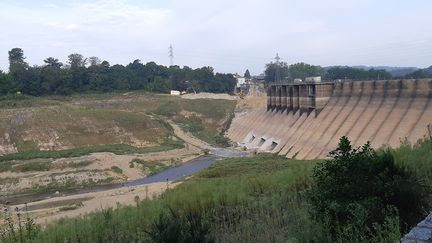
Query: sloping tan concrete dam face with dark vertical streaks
(306,120)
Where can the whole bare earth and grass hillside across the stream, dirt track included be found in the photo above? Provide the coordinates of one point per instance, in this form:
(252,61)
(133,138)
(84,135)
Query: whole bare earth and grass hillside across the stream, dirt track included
(60,143)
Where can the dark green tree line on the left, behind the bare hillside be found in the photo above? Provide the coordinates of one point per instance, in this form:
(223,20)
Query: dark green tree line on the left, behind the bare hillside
(82,74)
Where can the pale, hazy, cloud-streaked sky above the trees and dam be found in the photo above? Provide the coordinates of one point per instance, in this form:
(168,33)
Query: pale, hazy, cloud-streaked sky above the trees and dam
(229,35)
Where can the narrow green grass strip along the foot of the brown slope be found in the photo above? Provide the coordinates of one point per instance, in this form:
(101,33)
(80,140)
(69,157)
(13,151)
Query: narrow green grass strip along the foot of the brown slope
(76,152)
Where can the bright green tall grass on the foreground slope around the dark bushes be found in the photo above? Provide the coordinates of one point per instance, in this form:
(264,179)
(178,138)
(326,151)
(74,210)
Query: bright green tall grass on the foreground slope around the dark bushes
(259,199)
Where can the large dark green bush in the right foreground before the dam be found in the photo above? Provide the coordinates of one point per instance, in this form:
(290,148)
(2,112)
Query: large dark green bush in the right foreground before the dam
(362,194)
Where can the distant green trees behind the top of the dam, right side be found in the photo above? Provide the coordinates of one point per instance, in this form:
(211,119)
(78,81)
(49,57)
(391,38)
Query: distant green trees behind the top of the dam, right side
(282,72)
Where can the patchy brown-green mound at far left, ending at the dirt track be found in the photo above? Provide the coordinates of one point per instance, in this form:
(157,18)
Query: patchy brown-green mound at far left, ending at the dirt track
(65,124)
